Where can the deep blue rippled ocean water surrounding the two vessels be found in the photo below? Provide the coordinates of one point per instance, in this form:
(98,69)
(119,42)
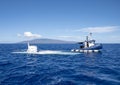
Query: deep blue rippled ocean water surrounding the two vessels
(56,69)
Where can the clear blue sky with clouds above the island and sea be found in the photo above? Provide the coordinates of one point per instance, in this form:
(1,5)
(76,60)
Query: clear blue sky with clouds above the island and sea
(70,20)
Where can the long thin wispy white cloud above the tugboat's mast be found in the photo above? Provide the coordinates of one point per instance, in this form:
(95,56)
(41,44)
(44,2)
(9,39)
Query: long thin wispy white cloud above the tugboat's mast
(99,29)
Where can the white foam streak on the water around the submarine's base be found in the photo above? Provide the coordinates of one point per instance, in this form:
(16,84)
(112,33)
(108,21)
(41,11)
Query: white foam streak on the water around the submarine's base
(48,52)
